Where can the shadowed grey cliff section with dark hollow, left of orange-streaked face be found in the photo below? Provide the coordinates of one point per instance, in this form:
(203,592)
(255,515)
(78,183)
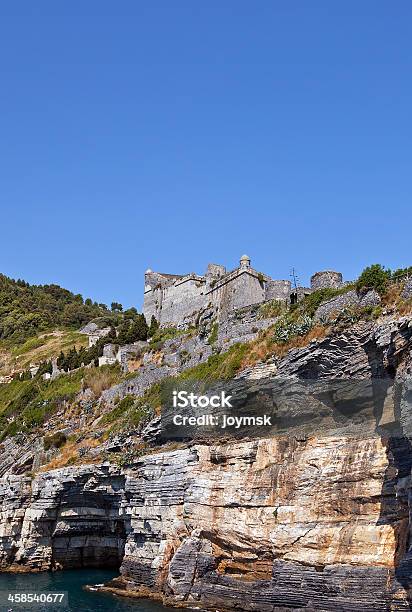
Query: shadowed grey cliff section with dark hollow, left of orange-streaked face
(64,518)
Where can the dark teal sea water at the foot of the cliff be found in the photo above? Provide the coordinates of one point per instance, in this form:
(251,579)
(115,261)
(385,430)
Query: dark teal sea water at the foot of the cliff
(72,582)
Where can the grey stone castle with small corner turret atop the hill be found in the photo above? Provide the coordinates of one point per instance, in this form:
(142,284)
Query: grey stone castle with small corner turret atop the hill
(177,300)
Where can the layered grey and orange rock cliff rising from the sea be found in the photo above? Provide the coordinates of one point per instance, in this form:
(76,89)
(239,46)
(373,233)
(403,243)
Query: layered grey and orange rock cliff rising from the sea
(314,522)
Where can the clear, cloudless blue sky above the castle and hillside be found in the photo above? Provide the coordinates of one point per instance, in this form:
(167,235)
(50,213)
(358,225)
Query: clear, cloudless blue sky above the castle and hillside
(167,134)
